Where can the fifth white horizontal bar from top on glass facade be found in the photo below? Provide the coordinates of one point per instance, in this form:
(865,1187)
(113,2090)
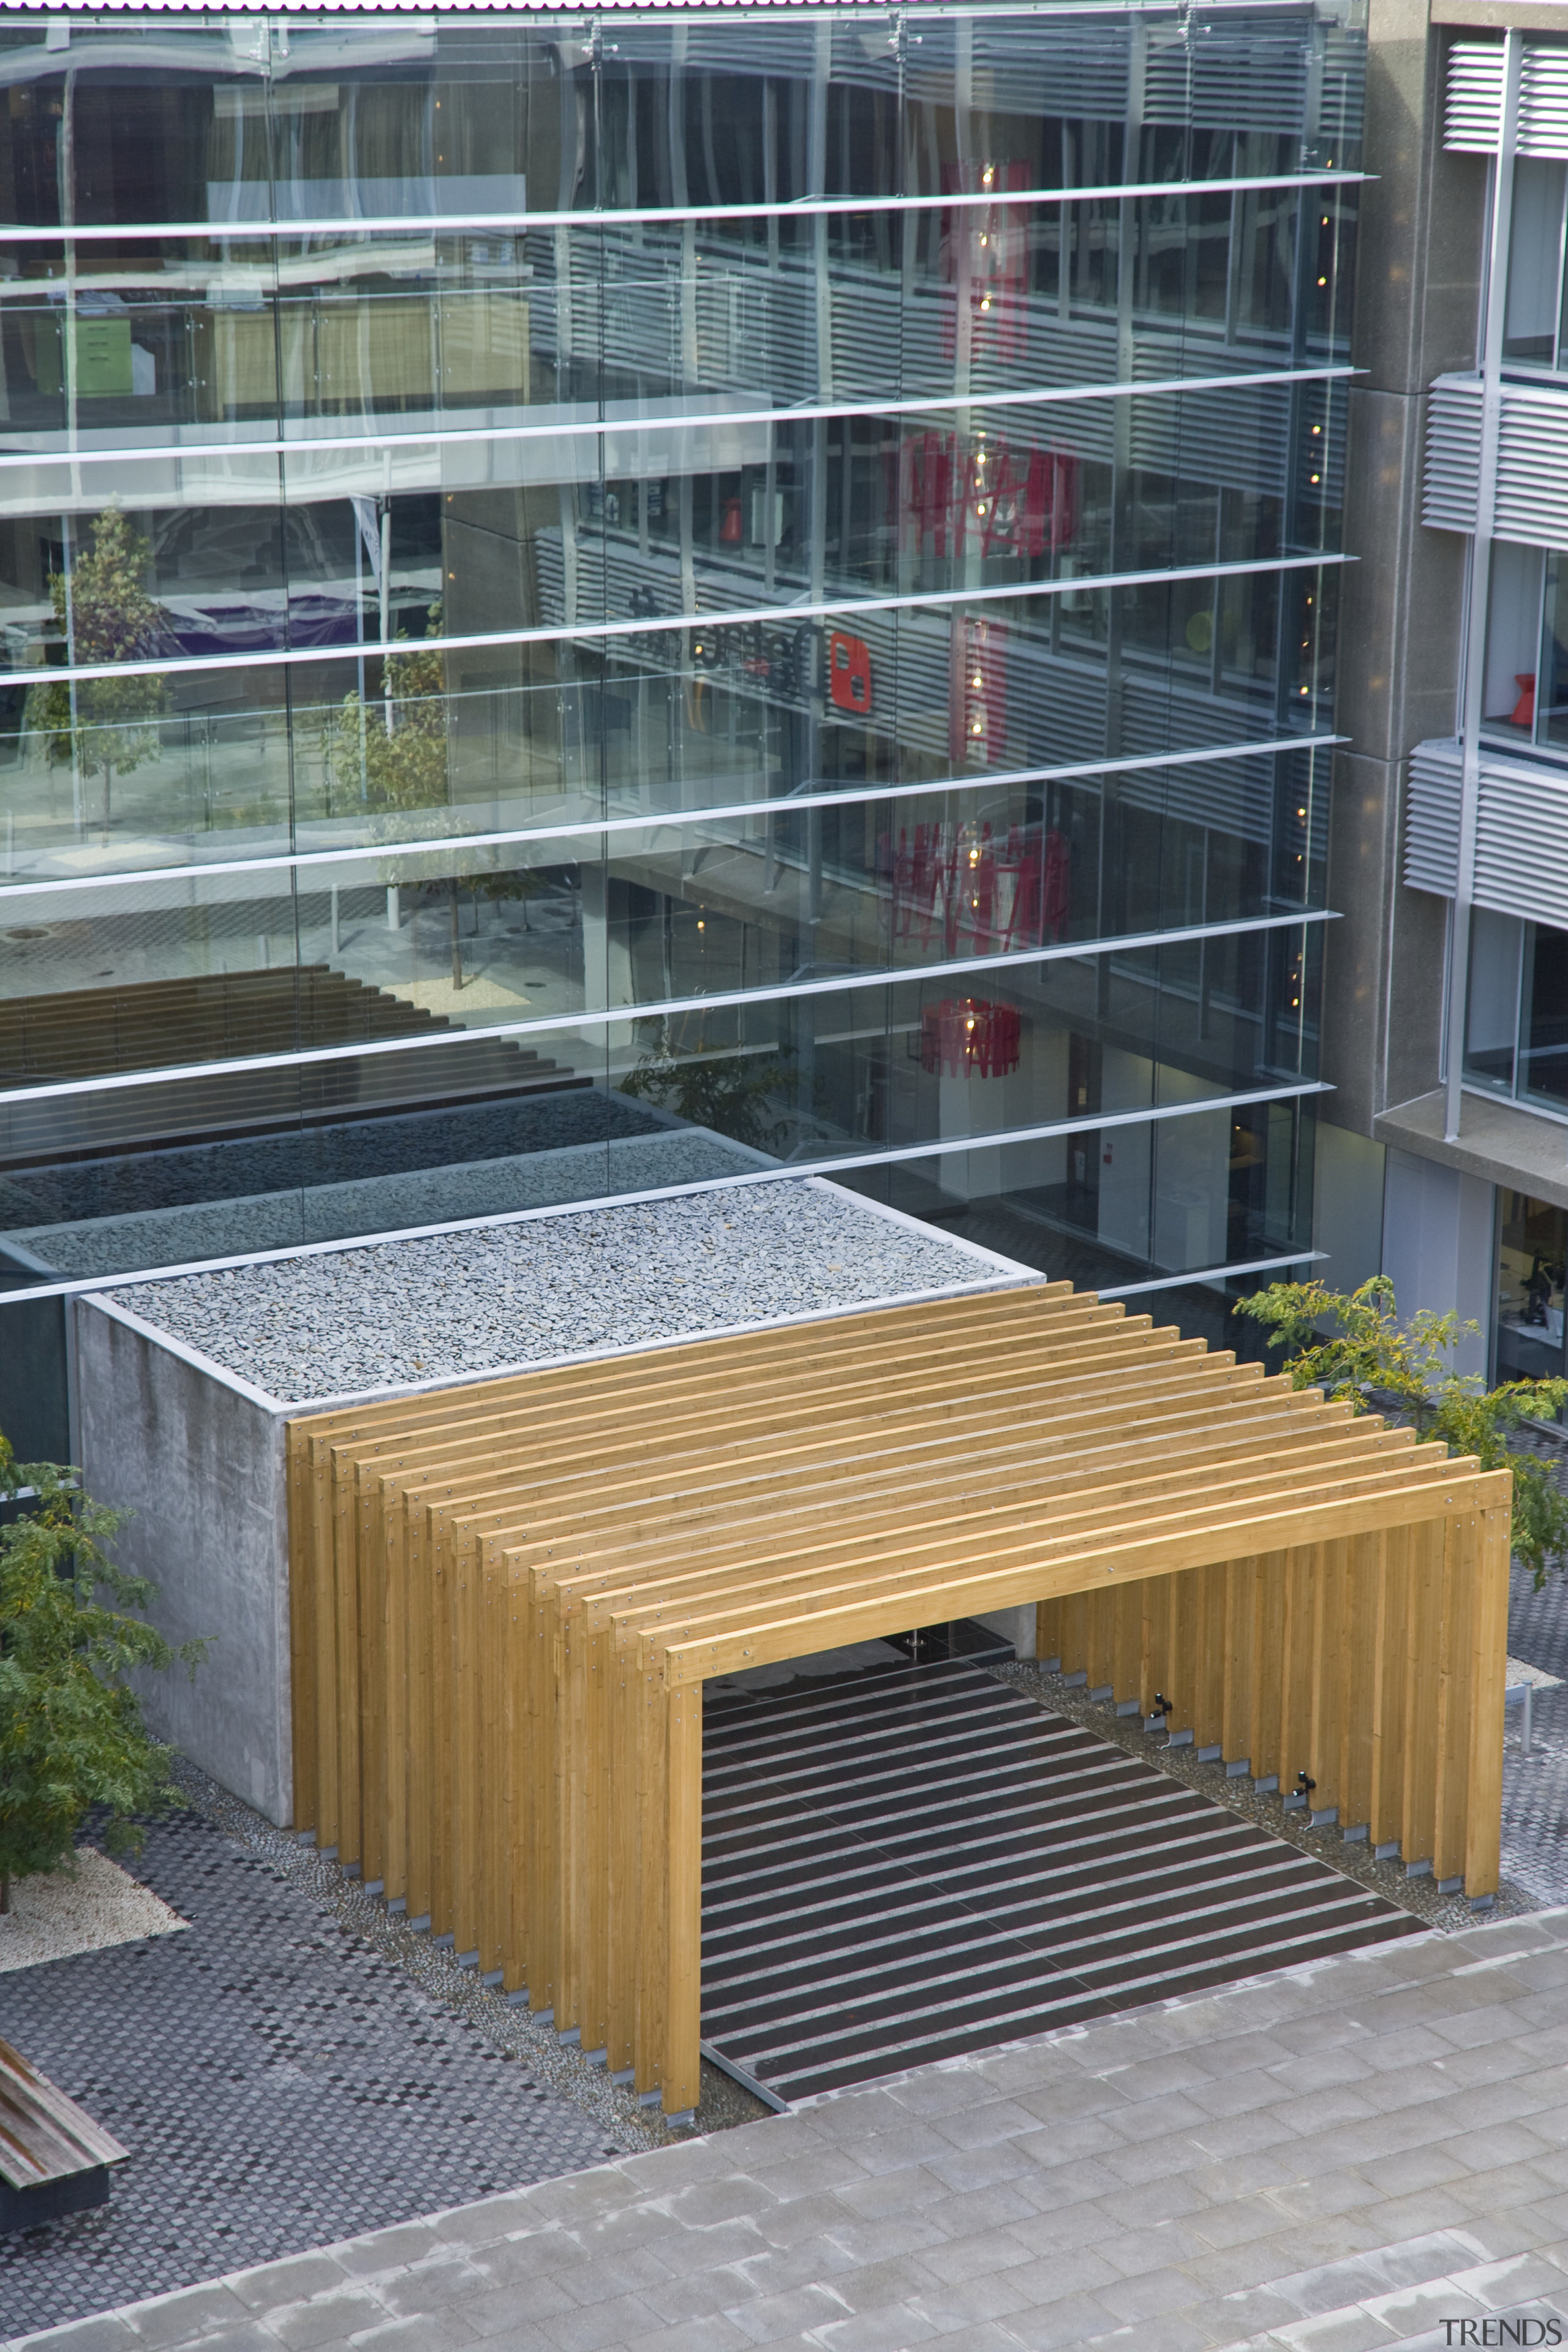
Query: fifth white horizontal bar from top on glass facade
(662,1010)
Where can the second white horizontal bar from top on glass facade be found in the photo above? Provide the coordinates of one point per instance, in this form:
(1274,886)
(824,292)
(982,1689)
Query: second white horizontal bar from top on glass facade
(631,425)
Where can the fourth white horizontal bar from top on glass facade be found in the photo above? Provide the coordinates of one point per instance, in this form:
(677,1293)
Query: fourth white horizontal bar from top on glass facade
(659,820)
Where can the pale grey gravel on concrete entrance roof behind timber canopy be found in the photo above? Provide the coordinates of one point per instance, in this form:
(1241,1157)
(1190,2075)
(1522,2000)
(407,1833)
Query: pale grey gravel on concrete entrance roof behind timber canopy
(514,1295)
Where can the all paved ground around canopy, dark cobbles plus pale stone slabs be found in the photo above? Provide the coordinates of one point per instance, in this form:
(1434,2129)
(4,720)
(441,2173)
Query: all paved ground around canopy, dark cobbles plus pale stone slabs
(1336,2158)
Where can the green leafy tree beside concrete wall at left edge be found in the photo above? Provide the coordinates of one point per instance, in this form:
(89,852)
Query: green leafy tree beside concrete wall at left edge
(72,1735)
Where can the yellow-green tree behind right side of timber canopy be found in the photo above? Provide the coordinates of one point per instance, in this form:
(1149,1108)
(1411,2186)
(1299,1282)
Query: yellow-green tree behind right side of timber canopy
(1369,1351)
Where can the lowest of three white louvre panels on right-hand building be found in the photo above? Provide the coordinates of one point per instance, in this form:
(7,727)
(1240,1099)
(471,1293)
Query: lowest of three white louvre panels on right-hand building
(1522,834)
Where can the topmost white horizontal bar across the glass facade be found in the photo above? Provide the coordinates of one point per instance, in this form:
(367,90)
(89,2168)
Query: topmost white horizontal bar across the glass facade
(652,218)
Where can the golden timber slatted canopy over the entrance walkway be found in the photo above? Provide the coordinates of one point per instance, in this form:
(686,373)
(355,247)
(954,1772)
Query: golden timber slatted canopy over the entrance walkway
(507,1601)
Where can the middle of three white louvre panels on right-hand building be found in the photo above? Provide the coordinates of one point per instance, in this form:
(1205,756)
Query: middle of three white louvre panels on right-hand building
(1532,462)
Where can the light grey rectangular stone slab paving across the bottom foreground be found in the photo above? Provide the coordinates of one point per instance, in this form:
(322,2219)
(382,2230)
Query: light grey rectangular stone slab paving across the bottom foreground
(1076,2191)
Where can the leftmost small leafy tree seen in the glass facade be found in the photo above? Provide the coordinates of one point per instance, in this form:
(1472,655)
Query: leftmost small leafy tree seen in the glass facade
(105,613)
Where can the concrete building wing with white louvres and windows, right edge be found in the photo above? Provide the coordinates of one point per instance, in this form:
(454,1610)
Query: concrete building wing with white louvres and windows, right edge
(1447,1020)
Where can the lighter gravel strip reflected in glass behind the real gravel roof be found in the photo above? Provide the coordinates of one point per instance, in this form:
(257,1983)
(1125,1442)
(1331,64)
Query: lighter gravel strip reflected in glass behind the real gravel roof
(384,1203)
